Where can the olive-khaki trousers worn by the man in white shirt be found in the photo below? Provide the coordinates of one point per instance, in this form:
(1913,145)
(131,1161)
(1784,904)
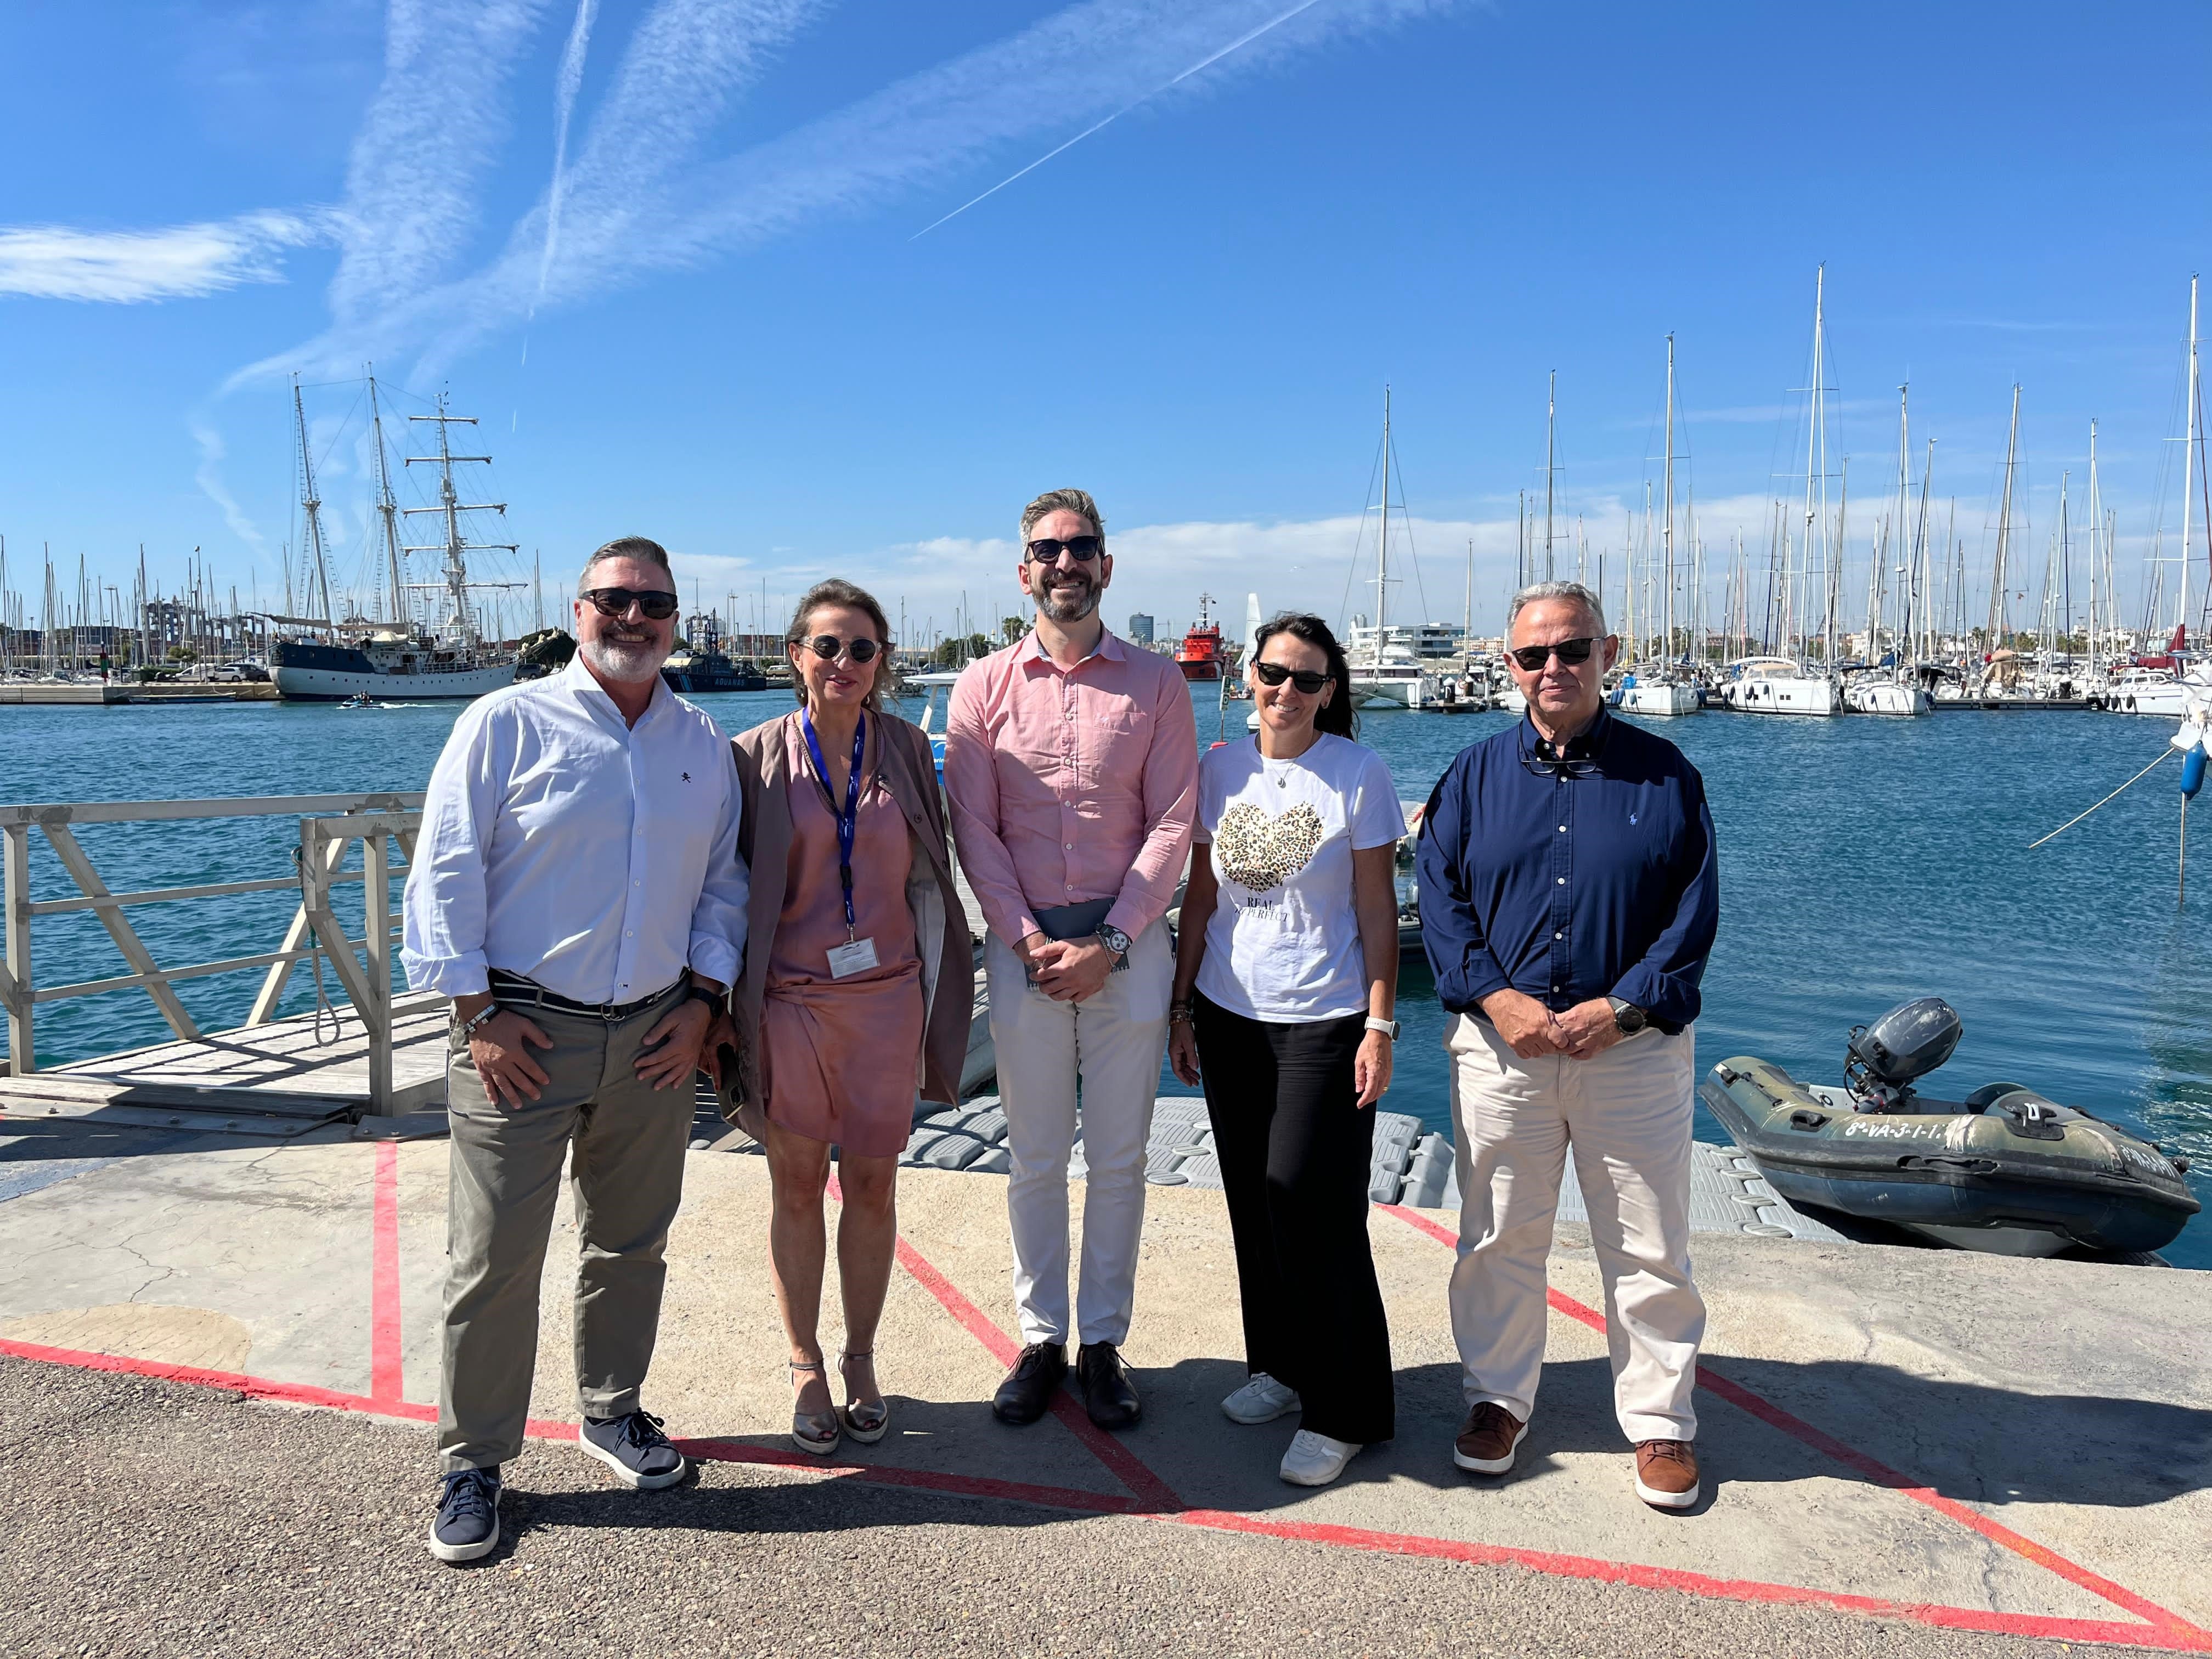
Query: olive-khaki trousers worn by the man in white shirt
(623,1142)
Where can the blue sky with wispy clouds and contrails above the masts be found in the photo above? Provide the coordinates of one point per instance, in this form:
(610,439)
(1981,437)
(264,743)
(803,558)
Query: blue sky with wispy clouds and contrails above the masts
(744,348)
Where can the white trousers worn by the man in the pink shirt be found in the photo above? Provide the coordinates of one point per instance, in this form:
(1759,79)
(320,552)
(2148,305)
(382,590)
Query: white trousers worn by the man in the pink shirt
(1114,1045)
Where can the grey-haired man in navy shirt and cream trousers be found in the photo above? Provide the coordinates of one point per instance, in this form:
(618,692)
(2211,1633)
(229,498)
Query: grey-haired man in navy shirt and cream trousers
(1569,901)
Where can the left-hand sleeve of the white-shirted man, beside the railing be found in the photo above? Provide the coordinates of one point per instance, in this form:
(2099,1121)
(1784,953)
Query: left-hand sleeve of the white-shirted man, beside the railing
(444,908)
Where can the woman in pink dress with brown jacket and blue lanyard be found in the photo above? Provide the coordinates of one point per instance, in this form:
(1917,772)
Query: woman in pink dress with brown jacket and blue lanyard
(857,988)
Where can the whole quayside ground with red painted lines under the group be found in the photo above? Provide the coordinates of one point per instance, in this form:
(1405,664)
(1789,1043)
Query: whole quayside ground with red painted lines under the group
(218,1359)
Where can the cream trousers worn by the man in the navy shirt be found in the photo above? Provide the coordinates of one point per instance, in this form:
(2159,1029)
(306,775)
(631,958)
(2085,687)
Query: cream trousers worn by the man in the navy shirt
(1627,1114)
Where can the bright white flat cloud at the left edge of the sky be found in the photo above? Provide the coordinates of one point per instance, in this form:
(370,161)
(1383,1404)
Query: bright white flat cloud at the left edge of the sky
(134,267)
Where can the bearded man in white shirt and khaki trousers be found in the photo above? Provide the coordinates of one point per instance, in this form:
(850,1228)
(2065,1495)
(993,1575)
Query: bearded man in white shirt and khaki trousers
(578,893)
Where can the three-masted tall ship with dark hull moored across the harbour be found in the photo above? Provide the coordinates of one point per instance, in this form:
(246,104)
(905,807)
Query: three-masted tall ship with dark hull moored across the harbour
(399,656)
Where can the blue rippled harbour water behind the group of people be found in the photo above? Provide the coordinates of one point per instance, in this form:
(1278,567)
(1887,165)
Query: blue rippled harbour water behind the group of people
(1864,862)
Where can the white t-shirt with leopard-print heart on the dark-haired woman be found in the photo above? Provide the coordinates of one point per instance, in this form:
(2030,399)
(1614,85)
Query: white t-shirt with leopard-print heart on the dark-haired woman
(1284,941)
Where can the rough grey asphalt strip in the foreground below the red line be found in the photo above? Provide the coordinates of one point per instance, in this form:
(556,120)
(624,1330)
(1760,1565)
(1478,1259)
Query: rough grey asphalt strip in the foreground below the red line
(156,1519)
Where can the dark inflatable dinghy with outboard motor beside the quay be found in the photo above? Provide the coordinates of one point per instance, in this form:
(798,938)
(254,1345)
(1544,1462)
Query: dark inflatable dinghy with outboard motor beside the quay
(2005,1169)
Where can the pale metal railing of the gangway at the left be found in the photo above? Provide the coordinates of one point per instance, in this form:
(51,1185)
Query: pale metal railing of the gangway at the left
(328,826)
